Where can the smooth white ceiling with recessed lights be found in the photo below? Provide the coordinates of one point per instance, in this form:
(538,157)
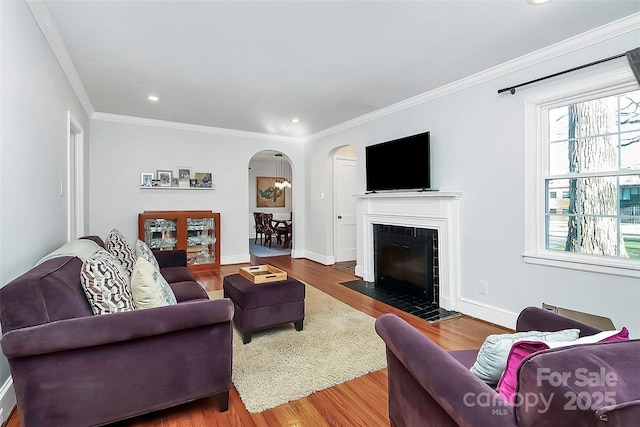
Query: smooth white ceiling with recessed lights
(255,65)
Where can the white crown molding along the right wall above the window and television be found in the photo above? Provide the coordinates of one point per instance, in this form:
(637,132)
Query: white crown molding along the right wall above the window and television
(589,38)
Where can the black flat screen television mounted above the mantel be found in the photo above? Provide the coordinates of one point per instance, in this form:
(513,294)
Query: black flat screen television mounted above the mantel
(400,164)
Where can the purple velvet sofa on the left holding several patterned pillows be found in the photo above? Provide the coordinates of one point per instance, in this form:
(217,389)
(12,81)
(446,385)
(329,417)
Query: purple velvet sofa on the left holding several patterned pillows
(73,368)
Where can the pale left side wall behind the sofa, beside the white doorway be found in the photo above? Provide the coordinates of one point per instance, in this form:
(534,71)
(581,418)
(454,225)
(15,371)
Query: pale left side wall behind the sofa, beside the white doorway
(33,145)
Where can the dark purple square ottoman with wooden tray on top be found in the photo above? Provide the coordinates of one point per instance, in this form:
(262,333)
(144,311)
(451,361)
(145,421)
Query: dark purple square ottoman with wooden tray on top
(264,305)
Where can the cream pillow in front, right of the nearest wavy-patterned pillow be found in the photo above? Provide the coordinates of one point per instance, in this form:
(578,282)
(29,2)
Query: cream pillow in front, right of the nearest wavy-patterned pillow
(148,287)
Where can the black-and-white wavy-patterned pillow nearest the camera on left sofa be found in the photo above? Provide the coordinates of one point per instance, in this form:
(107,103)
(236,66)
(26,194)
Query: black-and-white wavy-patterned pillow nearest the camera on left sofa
(105,284)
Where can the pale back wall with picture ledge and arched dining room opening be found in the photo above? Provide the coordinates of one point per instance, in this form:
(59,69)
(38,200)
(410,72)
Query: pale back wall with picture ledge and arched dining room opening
(121,151)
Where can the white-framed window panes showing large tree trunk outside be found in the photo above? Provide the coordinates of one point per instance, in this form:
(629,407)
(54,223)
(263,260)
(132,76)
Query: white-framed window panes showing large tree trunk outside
(594,161)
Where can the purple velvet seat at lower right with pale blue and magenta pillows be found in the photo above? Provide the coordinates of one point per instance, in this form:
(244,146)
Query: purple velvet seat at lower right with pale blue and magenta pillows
(431,387)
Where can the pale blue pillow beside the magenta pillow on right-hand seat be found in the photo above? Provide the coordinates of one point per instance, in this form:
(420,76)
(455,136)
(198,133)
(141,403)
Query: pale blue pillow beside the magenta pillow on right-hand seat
(492,356)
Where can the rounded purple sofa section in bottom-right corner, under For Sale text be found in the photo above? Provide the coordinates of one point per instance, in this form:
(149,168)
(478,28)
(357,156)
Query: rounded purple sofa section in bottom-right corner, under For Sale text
(589,384)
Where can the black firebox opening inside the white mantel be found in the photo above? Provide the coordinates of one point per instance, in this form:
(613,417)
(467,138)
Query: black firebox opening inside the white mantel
(406,257)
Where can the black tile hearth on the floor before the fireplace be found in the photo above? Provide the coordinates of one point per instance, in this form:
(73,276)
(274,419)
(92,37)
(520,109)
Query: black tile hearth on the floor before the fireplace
(402,299)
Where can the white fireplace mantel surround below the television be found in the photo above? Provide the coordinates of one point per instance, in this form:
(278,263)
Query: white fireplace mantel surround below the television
(430,209)
